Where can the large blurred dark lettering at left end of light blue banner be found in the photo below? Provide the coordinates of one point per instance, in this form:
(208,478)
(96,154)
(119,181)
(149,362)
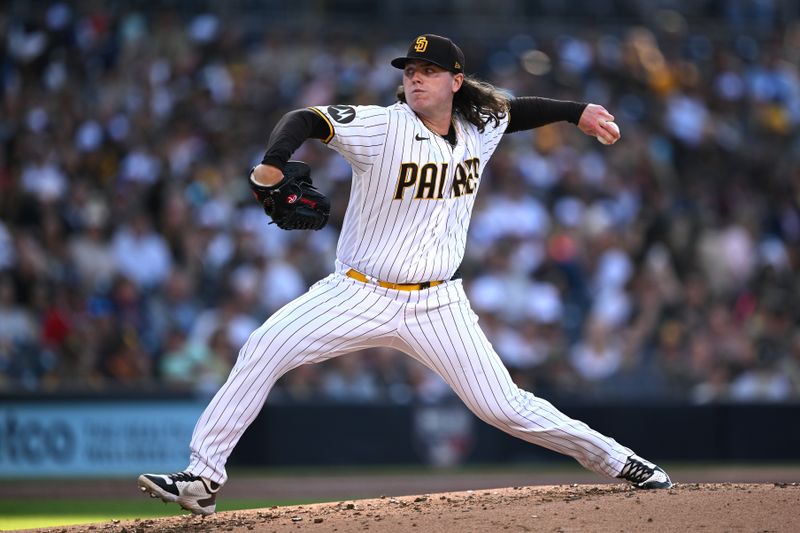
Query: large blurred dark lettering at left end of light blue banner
(33,441)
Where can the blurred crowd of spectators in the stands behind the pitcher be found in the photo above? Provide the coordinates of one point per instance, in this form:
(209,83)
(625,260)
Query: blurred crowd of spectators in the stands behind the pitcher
(132,254)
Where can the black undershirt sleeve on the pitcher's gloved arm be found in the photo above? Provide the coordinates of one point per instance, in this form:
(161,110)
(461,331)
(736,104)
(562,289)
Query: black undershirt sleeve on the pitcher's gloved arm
(290,132)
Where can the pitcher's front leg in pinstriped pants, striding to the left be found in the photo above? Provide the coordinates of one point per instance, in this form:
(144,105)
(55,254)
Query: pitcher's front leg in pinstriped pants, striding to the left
(333,318)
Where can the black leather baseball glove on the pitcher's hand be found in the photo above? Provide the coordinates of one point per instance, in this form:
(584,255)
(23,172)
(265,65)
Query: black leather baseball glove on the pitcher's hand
(293,202)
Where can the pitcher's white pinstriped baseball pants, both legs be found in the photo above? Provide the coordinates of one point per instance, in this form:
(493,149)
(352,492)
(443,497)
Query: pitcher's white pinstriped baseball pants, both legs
(436,326)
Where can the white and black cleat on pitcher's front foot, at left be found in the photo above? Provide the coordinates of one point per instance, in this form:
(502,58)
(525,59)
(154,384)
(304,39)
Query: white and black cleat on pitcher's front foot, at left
(193,493)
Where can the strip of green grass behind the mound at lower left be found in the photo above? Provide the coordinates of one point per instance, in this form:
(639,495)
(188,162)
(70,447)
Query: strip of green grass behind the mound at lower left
(28,514)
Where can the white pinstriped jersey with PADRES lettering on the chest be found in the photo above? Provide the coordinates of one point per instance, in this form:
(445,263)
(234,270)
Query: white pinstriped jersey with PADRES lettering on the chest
(412,193)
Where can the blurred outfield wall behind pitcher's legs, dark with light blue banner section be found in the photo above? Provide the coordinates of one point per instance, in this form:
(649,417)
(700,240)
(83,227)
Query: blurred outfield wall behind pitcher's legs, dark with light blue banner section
(120,437)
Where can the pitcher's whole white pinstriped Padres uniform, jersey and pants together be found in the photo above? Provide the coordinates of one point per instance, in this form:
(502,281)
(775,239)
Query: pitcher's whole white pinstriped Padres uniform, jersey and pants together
(407,219)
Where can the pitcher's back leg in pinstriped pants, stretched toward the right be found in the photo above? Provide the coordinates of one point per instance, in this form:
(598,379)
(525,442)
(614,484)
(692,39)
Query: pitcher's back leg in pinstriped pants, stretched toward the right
(447,338)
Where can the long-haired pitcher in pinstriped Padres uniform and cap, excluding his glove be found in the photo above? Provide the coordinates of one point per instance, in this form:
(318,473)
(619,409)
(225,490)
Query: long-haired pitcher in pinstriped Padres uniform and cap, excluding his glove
(417,166)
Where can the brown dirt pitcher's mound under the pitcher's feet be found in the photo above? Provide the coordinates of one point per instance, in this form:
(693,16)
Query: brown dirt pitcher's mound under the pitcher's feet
(709,507)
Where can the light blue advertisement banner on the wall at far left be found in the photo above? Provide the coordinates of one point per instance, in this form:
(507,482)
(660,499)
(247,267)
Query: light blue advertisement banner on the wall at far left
(79,439)
